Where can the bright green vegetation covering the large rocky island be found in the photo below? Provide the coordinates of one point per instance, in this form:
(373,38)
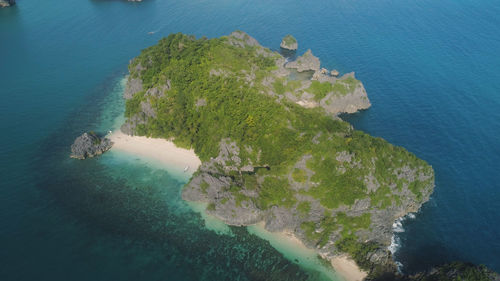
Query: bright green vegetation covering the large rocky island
(279,133)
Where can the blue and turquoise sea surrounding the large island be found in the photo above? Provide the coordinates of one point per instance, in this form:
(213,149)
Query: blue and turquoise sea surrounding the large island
(431,70)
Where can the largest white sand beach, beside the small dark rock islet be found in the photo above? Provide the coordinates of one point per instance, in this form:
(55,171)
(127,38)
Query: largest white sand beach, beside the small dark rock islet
(160,150)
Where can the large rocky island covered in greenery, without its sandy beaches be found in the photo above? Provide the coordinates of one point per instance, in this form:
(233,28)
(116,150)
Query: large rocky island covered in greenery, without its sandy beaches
(272,146)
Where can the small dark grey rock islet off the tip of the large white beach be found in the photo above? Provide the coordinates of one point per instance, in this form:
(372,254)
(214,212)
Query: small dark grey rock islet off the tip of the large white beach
(89,145)
